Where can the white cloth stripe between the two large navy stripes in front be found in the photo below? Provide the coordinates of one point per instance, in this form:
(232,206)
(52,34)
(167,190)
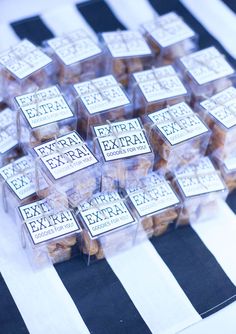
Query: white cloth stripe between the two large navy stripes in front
(153,289)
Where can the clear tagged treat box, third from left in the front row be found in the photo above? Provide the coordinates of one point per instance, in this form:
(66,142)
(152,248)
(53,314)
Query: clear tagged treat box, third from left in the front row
(154,203)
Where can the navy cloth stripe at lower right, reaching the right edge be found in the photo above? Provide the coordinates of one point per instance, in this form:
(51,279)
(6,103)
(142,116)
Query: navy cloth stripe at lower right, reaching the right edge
(196,270)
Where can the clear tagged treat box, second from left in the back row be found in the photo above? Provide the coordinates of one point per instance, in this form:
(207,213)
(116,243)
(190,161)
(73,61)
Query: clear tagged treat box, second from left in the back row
(77,55)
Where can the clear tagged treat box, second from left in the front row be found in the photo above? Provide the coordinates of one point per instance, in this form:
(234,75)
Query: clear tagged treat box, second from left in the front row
(109,226)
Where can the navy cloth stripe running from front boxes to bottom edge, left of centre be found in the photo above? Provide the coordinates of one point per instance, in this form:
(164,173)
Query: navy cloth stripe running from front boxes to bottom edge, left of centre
(100,298)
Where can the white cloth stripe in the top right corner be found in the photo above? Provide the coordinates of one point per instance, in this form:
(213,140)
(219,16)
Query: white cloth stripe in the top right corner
(218,19)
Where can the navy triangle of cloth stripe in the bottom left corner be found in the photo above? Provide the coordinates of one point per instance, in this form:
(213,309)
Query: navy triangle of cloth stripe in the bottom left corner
(11,321)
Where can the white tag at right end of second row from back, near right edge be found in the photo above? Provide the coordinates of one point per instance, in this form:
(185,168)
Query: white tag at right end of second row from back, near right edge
(207,65)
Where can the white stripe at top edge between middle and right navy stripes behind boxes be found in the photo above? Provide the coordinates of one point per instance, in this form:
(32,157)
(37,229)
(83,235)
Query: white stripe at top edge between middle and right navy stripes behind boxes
(132,13)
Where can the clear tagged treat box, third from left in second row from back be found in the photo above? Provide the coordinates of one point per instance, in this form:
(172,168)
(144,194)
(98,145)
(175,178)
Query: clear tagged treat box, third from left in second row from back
(156,88)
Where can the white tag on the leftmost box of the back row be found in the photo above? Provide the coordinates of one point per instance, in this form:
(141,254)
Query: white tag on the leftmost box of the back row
(24,59)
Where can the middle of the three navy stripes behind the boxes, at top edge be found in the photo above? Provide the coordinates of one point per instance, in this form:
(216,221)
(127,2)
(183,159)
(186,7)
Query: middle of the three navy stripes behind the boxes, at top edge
(99,16)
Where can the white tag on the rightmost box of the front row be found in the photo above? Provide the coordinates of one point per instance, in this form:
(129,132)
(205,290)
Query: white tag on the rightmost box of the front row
(199,178)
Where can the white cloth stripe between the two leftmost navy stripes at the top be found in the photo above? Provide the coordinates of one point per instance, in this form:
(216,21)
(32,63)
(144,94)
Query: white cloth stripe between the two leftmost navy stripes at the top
(63,19)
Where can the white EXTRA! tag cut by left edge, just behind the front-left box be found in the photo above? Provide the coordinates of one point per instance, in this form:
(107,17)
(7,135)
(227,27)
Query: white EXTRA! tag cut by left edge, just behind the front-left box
(20,177)
